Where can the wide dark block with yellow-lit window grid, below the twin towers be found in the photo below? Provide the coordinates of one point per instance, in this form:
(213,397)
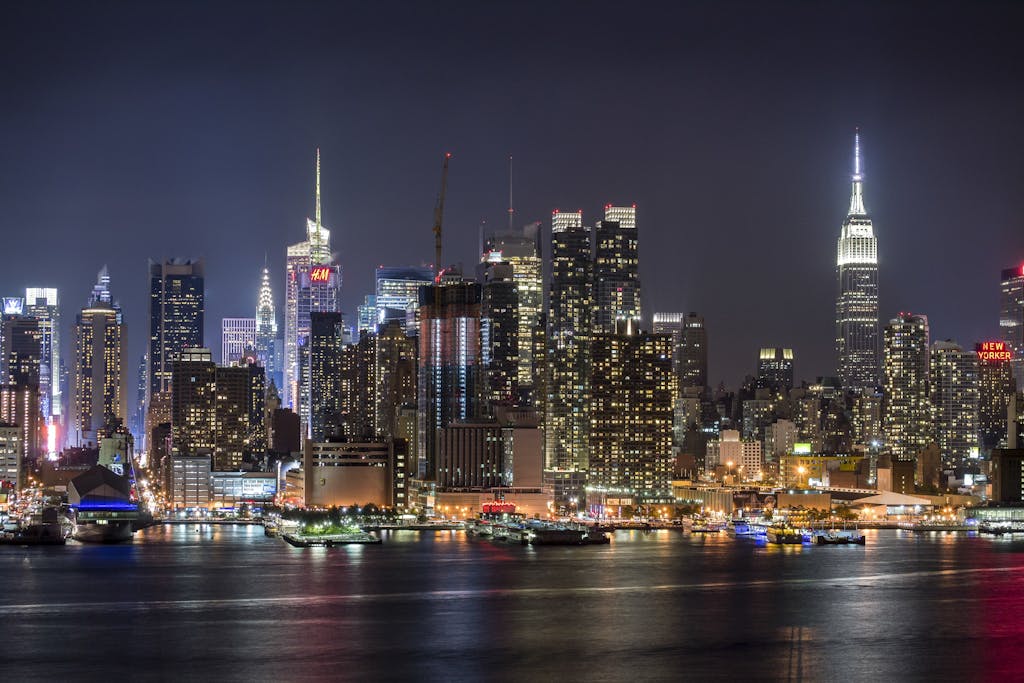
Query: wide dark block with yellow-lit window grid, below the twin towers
(633,394)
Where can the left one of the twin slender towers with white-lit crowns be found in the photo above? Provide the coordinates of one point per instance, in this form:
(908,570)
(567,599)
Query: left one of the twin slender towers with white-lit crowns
(570,310)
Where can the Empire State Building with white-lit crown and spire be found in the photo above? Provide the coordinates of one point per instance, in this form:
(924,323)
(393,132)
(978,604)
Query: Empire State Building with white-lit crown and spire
(858,301)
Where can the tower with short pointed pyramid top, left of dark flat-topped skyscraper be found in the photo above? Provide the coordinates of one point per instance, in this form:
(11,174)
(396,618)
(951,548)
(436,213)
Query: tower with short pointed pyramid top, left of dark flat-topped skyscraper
(101,370)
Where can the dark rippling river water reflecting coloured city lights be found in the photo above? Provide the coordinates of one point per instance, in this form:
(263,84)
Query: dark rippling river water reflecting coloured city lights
(228,604)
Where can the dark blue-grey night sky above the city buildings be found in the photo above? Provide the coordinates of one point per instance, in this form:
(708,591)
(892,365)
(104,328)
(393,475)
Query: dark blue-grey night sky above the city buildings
(138,131)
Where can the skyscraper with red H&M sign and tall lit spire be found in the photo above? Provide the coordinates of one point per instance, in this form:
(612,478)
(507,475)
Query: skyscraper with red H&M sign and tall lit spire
(313,284)
